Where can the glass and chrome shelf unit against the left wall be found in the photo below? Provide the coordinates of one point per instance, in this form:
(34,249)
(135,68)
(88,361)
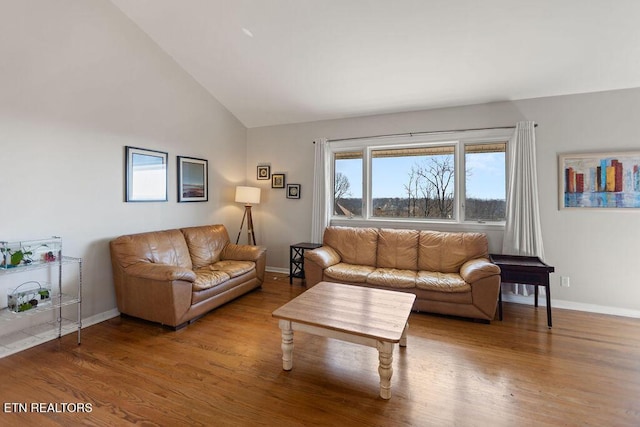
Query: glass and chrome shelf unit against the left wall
(52,319)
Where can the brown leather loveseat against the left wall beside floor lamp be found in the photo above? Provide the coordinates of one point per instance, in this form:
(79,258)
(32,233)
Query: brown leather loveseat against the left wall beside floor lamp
(175,276)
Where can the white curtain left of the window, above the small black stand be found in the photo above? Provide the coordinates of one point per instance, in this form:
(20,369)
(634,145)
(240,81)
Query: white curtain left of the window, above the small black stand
(321,214)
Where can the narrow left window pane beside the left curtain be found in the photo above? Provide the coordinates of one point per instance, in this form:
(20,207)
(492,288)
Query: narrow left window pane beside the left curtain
(347,184)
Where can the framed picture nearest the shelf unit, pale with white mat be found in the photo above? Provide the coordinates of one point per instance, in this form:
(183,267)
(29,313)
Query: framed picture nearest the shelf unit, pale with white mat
(145,175)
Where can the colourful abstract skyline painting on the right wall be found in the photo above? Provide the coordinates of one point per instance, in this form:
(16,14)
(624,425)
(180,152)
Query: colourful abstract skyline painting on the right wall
(608,180)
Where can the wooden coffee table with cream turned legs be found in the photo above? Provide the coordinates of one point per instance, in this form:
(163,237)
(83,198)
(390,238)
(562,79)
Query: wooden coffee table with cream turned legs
(372,317)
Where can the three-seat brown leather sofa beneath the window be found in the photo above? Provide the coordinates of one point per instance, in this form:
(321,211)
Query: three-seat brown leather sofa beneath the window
(450,273)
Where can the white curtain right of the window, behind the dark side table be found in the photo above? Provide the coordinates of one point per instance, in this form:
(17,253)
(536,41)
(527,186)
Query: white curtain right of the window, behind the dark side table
(523,233)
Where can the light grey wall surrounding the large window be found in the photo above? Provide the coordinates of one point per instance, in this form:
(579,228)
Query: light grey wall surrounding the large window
(596,249)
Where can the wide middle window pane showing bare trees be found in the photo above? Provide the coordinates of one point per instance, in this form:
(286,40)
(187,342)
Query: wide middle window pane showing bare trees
(413,182)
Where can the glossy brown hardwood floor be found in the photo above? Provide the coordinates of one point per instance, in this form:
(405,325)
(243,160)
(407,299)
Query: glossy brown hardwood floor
(226,369)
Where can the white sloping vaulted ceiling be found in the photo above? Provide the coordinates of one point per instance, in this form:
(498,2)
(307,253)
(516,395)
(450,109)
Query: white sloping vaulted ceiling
(286,61)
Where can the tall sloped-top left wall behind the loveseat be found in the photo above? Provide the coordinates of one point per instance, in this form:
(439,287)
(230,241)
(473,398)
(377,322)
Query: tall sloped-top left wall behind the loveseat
(78,82)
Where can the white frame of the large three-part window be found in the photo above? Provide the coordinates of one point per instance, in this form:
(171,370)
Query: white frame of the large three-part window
(458,139)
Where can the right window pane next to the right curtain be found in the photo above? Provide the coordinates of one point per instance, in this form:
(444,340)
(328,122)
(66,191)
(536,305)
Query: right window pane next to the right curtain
(485,198)
